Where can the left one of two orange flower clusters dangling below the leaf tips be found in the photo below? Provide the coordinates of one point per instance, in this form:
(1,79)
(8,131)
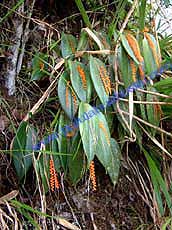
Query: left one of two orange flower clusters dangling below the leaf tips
(54,183)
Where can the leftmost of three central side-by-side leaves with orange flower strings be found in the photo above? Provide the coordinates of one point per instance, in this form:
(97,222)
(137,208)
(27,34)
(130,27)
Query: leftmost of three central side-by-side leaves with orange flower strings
(67,96)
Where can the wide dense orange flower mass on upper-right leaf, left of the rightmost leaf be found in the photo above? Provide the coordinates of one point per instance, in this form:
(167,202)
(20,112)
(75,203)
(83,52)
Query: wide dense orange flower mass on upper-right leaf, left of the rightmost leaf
(134,46)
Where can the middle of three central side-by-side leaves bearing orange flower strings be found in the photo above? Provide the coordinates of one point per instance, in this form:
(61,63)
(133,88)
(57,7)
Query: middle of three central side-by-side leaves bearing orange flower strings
(80,80)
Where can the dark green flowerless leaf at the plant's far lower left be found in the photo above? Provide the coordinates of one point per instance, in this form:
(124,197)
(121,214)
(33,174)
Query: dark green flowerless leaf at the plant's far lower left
(22,146)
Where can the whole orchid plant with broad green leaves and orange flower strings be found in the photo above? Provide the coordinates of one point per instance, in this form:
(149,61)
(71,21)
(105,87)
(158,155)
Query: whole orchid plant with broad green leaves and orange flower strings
(88,80)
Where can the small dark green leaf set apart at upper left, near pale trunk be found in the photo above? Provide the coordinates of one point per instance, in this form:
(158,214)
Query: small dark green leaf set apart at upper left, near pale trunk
(39,66)
